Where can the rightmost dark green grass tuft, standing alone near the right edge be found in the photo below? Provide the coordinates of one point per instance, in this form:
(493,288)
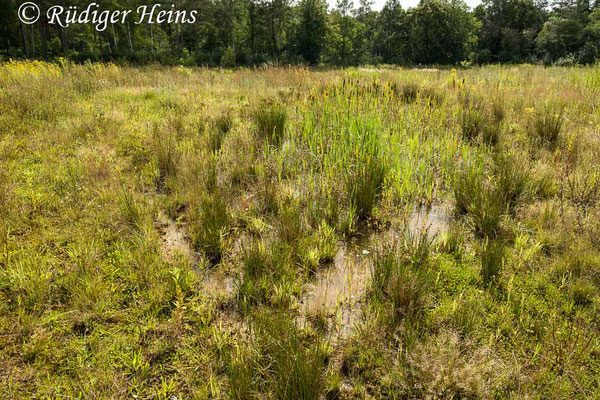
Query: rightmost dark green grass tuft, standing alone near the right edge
(546,124)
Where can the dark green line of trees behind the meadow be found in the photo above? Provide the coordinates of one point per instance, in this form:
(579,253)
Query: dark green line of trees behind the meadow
(248,32)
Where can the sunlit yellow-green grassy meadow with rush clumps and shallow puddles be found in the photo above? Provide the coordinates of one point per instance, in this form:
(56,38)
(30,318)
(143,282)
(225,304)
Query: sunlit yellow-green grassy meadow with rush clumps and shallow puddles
(286,233)
